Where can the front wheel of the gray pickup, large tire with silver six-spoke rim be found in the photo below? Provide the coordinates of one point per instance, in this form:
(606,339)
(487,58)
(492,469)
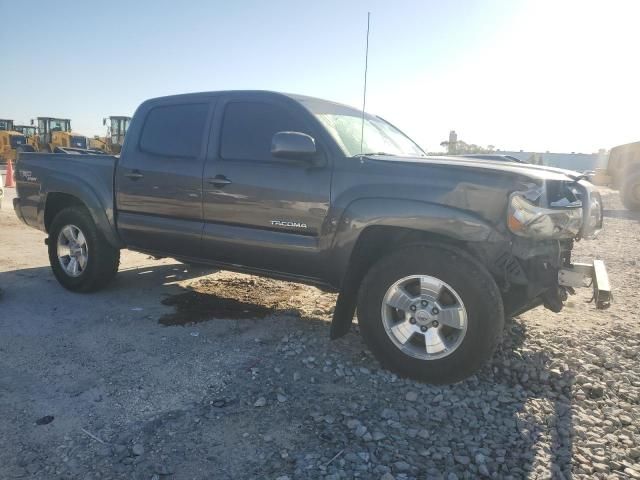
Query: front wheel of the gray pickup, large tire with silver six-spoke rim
(467,292)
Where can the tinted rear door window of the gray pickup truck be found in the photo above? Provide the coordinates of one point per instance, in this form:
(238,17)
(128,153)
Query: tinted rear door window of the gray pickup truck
(174,130)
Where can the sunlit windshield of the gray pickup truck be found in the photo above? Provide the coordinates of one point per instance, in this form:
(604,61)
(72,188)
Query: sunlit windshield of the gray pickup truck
(379,136)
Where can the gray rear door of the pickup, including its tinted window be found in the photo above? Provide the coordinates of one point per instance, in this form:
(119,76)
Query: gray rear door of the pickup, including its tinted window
(159,178)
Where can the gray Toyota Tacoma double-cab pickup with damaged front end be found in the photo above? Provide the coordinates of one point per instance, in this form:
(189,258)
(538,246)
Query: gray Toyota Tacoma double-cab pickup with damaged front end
(433,252)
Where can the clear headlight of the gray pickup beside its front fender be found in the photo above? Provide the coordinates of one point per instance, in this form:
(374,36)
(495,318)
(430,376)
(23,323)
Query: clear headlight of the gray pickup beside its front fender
(528,220)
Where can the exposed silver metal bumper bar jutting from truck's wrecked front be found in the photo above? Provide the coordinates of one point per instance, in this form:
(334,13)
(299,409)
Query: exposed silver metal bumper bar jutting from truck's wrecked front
(577,274)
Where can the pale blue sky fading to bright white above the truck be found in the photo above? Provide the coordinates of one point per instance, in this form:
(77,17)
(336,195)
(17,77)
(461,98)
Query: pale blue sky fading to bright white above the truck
(538,75)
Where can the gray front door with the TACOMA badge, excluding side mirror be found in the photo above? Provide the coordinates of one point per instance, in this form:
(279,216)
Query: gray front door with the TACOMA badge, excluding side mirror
(261,211)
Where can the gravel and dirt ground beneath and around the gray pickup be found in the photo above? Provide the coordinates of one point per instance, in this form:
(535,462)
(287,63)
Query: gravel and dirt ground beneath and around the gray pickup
(175,373)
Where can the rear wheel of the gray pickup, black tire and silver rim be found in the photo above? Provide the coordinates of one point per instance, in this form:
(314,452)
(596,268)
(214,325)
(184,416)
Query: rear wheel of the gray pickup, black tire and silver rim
(102,259)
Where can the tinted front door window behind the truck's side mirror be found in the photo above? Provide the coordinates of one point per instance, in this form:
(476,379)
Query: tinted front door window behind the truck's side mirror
(248,128)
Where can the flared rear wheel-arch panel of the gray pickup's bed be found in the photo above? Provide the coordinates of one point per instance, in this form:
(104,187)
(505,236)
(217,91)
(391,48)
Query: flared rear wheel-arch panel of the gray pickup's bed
(96,196)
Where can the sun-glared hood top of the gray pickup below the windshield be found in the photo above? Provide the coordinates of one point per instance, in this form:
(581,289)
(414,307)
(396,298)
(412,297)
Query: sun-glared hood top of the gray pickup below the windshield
(541,172)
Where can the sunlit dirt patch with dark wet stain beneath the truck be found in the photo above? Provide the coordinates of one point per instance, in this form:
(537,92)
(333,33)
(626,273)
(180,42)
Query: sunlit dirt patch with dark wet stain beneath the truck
(243,296)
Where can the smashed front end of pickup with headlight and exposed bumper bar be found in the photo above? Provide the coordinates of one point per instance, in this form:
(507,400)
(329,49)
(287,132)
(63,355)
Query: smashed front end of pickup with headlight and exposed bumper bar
(536,268)
